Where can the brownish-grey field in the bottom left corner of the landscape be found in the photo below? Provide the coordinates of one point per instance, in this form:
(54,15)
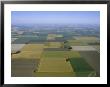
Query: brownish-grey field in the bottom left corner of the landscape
(23,67)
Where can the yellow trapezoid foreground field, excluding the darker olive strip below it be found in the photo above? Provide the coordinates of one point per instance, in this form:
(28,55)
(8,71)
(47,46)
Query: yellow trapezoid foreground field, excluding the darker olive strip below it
(54,65)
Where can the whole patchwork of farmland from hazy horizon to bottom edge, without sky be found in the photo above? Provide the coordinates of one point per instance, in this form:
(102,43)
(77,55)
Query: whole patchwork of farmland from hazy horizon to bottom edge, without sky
(55,51)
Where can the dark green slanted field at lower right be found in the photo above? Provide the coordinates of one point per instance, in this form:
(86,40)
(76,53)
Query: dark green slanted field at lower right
(81,67)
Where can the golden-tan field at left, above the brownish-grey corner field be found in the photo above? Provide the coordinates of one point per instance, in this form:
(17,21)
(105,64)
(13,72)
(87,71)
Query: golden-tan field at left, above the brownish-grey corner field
(30,51)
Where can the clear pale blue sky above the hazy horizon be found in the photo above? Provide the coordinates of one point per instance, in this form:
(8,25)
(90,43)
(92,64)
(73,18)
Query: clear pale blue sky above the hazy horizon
(55,17)
